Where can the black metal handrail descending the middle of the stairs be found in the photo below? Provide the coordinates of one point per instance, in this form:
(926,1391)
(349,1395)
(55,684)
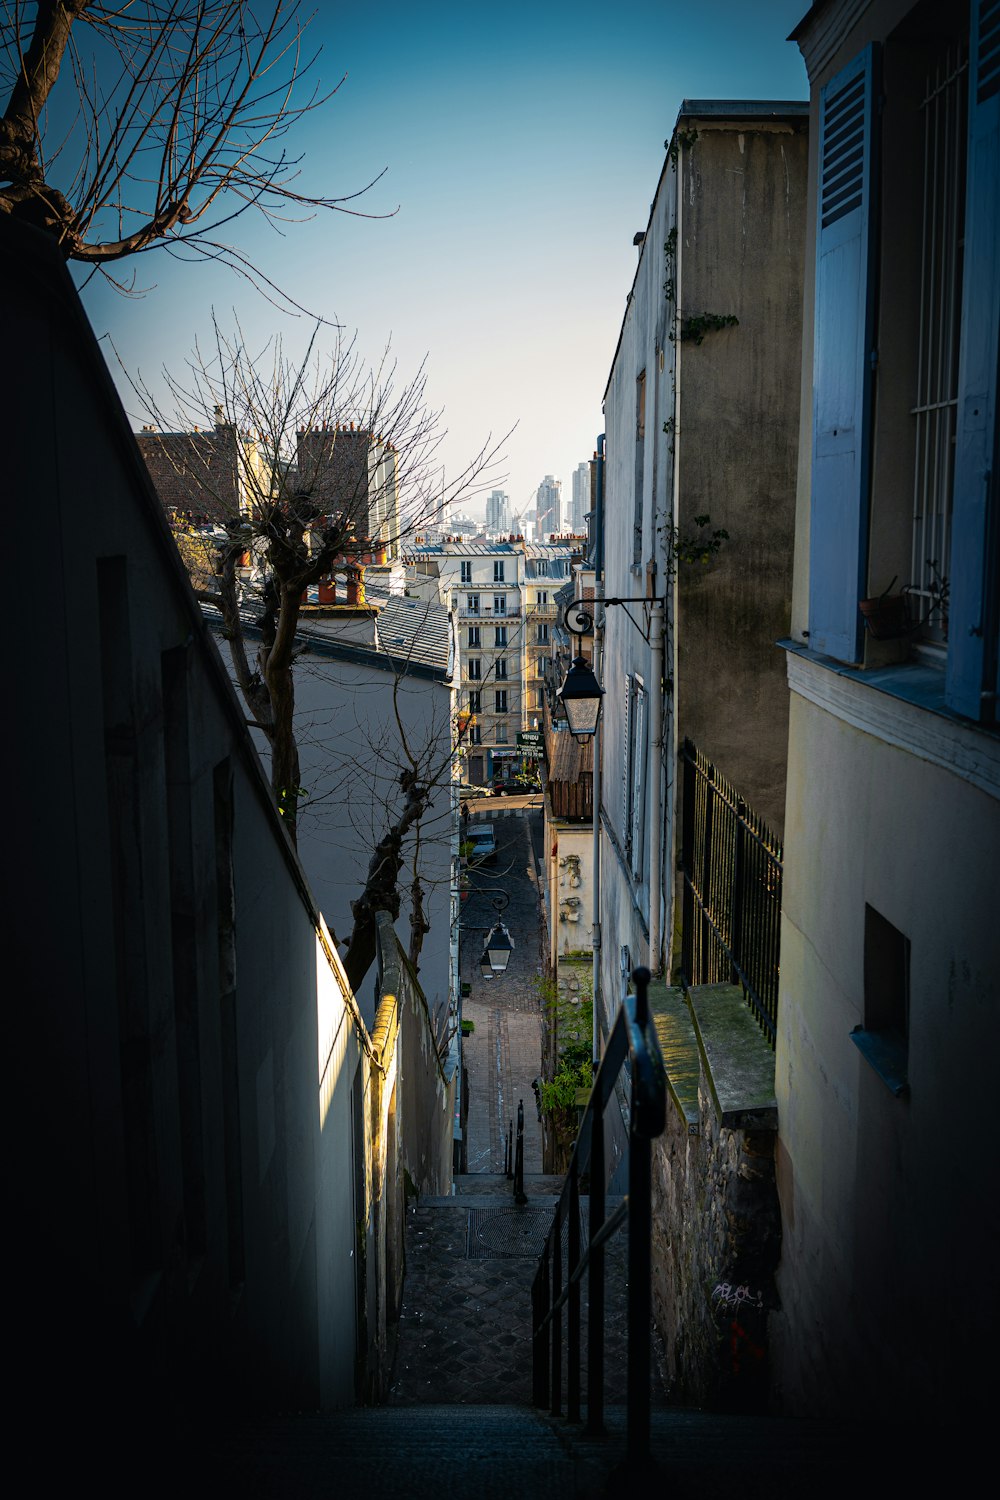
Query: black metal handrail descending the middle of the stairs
(633,1037)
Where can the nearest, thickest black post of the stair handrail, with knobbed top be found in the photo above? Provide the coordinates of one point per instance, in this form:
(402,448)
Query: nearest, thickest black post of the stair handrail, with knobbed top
(639,1264)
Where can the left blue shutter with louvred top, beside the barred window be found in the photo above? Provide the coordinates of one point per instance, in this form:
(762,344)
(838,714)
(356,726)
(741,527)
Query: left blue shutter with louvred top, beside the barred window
(842,370)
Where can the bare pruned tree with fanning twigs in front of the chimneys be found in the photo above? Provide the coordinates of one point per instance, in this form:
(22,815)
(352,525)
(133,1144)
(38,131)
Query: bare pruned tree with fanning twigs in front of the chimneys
(302,469)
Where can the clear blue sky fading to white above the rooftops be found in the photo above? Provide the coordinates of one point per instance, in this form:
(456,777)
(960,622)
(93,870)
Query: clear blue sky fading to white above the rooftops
(519,149)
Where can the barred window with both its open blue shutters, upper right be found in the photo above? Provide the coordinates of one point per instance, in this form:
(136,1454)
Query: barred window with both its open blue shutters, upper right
(908,316)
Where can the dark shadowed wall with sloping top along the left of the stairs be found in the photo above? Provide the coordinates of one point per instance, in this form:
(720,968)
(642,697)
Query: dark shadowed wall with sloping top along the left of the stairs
(187,1042)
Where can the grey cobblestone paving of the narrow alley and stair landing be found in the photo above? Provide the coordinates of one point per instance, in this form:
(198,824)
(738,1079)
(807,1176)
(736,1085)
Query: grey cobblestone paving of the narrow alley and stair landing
(466,1327)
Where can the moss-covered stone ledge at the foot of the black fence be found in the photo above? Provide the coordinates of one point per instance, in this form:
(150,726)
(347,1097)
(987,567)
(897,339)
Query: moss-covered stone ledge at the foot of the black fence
(738,1061)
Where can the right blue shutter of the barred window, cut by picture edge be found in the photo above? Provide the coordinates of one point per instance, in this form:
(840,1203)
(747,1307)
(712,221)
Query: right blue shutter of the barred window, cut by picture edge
(974,563)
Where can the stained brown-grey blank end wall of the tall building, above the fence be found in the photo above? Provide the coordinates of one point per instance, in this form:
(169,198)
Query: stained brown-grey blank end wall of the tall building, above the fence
(741,254)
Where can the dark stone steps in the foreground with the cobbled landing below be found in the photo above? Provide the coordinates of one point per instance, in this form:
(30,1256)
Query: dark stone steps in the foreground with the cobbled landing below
(460,1418)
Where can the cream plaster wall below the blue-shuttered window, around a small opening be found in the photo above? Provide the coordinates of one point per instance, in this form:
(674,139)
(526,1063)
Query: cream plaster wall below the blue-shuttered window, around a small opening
(887,1202)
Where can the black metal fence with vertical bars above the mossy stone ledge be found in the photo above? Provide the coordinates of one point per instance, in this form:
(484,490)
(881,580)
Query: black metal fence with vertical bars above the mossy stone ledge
(732,890)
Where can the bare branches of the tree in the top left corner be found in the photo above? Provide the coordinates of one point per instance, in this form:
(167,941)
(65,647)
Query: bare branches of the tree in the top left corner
(154,124)
